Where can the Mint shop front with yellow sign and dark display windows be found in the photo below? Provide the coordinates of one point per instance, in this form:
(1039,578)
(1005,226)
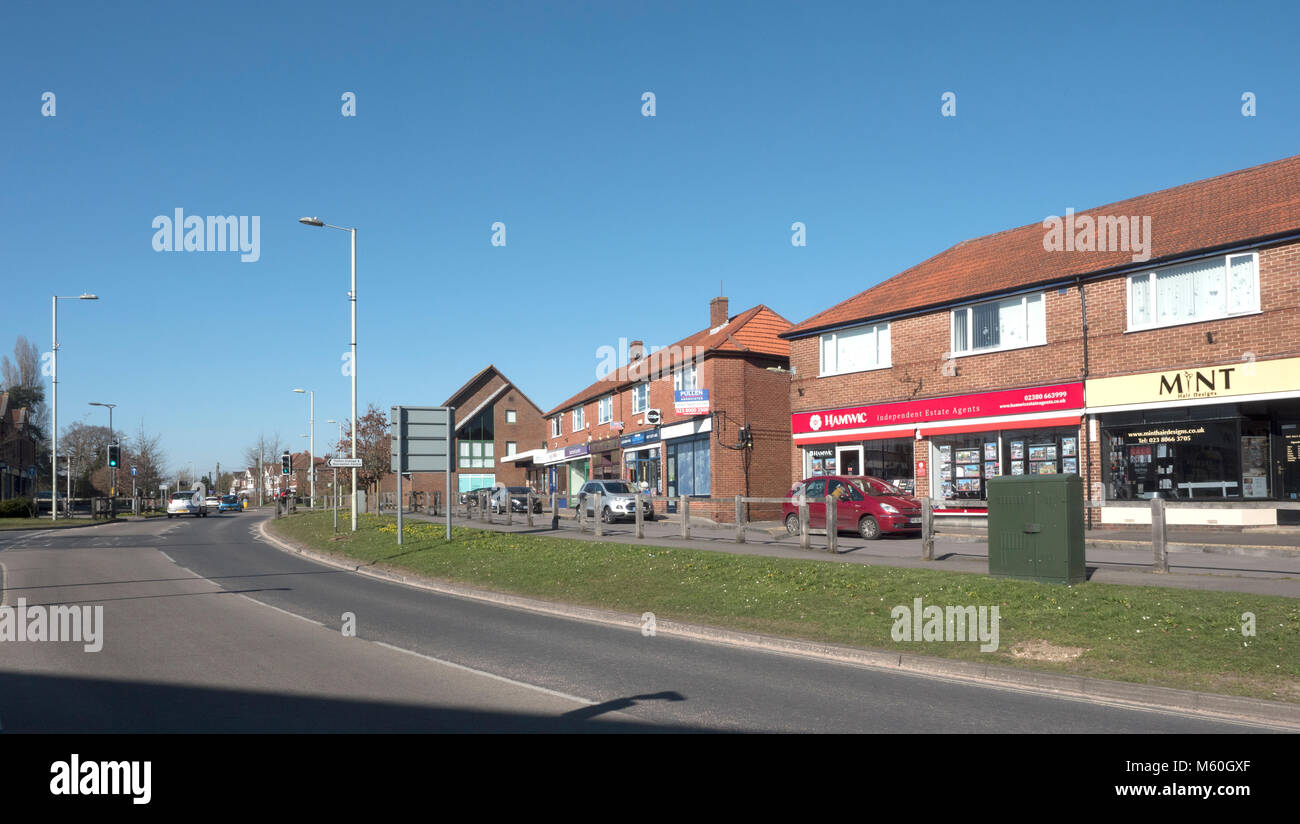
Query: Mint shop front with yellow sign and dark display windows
(1223,433)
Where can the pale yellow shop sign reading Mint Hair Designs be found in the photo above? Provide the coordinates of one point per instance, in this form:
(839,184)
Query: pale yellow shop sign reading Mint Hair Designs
(1223,381)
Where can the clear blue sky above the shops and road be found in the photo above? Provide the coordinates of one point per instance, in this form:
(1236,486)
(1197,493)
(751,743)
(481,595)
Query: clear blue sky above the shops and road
(618,225)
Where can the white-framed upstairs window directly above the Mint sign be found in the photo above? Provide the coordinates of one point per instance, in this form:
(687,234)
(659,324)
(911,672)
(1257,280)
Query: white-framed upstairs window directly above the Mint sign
(1198,292)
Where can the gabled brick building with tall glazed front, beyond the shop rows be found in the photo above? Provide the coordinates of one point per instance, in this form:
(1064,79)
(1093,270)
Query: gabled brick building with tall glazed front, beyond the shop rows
(495,419)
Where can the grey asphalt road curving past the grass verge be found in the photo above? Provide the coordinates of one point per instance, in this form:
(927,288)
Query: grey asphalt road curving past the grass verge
(207,628)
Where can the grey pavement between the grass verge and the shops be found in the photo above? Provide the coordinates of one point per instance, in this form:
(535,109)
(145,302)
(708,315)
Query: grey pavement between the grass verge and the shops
(1212,562)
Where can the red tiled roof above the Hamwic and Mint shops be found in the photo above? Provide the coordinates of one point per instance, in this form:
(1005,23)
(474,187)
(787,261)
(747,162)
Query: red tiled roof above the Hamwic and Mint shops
(1251,205)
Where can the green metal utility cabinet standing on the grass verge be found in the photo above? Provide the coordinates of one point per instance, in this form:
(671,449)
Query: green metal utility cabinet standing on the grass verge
(1035,528)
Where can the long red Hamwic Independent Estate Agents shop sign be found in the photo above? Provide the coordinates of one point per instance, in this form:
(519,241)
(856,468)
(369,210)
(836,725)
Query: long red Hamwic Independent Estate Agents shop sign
(983,405)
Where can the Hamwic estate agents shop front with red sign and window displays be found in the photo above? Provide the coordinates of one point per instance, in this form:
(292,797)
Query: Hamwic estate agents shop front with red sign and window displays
(950,448)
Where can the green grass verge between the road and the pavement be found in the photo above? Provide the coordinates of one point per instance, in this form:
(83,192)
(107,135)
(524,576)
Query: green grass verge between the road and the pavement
(1169,637)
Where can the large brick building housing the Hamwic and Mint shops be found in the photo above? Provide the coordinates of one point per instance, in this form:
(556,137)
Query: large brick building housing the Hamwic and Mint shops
(1150,346)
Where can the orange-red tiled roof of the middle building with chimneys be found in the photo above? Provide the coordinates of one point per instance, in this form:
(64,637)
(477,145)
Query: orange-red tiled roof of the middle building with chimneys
(756,331)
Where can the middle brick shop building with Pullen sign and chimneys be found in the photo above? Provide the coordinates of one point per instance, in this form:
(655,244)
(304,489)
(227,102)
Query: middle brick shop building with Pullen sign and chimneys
(705,389)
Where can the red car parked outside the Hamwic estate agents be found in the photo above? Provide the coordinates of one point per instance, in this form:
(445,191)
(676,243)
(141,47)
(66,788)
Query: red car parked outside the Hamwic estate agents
(870,506)
